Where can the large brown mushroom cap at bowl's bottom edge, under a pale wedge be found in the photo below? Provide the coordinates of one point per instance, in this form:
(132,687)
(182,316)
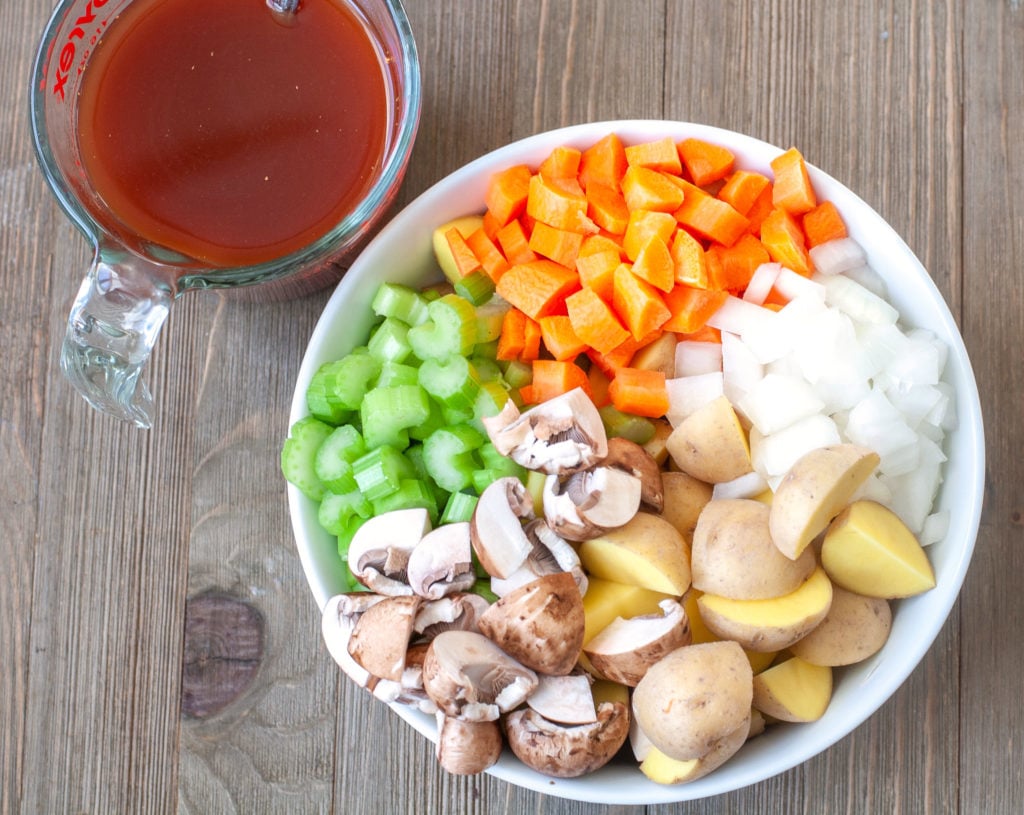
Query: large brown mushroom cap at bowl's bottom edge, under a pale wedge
(568,751)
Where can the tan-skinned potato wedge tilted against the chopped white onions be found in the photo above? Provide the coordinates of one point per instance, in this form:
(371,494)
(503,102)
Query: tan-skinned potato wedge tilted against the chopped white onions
(816,490)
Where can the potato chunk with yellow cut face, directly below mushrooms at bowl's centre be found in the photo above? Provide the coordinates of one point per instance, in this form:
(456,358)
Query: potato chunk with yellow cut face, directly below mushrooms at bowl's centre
(648,552)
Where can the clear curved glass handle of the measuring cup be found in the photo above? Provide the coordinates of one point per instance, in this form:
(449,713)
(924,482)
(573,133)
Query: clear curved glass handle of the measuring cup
(112,329)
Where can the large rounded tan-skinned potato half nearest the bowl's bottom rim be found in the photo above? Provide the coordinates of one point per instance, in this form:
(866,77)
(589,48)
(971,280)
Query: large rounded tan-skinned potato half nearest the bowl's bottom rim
(695,698)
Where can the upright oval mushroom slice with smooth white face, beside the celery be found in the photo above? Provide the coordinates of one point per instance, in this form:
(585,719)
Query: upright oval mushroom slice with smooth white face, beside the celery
(496,529)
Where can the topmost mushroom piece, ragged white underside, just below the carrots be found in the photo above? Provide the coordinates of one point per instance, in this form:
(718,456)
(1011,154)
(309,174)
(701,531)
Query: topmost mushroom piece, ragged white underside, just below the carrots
(561,436)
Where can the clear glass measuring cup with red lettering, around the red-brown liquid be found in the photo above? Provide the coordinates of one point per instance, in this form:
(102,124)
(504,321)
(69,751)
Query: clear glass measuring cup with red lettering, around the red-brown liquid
(134,279)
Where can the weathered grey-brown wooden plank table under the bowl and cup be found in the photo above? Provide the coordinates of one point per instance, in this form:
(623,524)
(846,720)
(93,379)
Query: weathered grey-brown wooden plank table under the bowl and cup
(110,536)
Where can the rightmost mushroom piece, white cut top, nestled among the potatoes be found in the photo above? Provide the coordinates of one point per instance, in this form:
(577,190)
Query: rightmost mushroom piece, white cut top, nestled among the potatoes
(624,651)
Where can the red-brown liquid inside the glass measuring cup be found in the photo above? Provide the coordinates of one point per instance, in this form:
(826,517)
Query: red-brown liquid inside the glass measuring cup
(212,128)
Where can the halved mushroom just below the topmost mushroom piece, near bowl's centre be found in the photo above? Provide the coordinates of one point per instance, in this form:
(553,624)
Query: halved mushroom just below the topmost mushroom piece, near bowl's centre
(591,502)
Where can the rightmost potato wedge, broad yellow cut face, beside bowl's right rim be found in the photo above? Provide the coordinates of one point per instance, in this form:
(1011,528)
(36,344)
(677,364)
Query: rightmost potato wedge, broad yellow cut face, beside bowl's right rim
(869,550)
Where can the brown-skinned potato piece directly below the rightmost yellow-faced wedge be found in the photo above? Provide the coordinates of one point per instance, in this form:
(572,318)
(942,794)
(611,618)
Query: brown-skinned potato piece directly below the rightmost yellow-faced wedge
(856,628)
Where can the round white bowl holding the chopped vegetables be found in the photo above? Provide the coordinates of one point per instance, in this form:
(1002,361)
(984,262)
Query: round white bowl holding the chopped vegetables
(402,253)
